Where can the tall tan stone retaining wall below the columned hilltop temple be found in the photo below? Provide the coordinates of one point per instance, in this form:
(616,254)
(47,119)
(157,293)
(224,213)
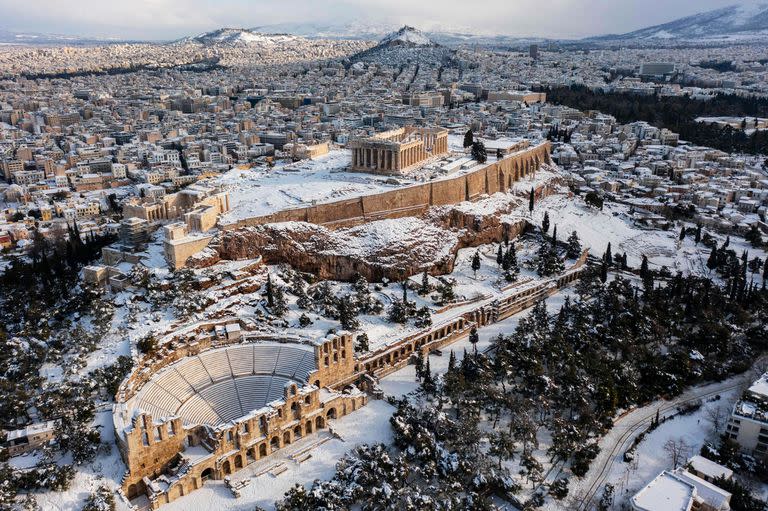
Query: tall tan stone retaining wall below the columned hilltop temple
(412,200)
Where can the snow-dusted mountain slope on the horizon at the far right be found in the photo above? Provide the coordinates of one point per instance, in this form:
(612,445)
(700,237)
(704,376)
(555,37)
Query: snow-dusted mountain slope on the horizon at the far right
(739,21)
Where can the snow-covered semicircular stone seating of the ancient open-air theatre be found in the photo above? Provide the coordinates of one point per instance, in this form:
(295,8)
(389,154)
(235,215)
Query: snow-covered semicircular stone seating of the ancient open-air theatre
(224,384)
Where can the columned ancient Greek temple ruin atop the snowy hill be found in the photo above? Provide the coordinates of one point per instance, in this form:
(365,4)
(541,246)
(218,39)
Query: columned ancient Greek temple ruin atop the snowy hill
(396,151)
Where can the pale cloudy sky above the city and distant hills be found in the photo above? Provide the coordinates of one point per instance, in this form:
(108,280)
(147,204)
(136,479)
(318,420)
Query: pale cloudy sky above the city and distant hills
(171,19)
